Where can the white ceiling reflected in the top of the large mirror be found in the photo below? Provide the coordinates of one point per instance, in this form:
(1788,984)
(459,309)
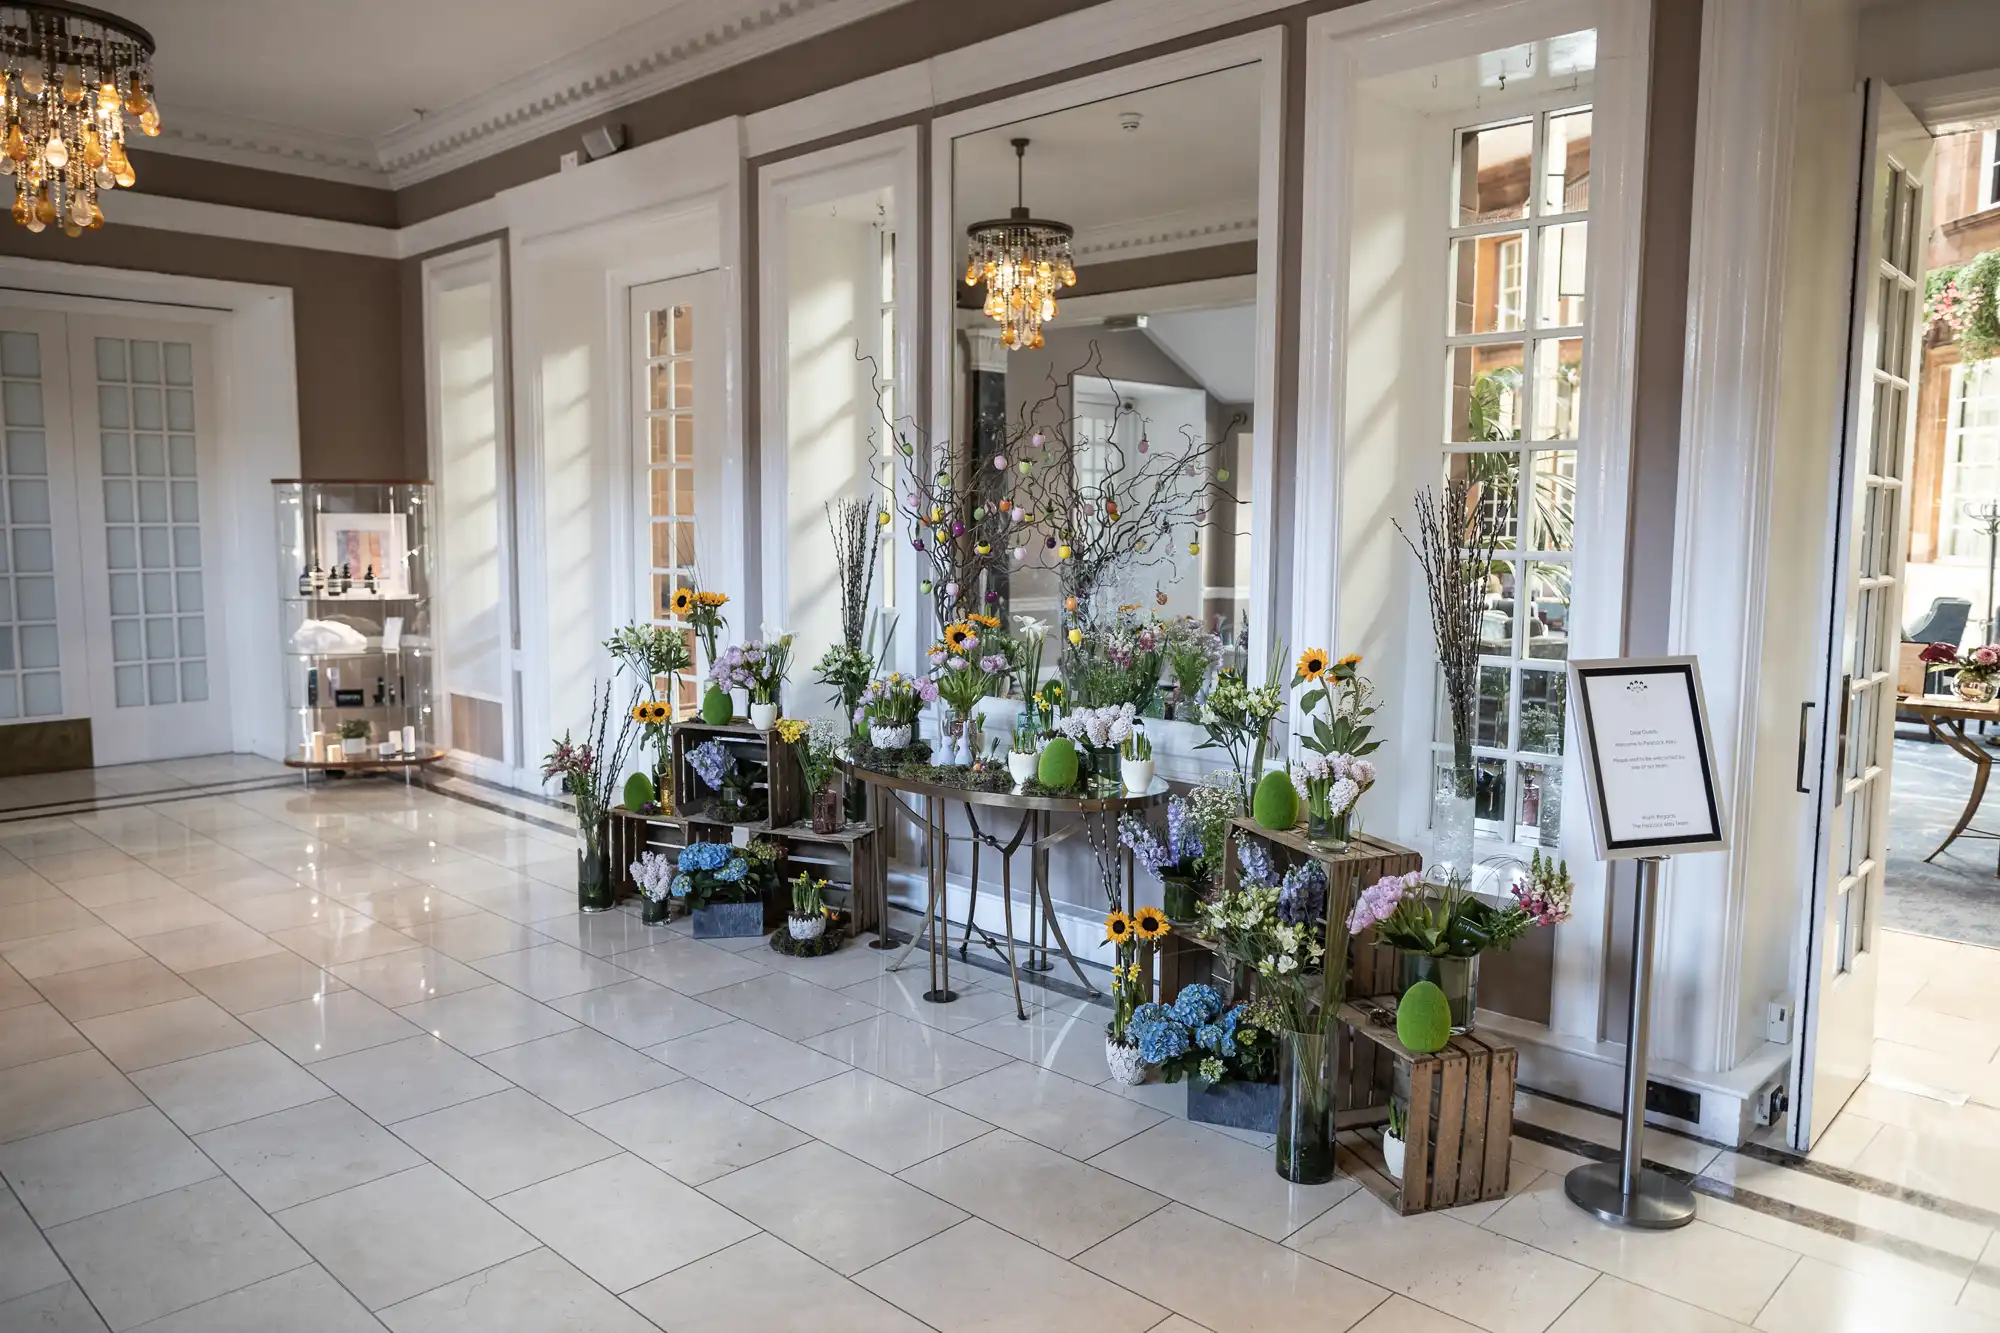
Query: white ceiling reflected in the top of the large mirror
(1193,163)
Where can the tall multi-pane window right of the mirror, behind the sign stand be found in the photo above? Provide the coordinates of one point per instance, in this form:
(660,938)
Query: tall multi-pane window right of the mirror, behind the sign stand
(1515,351)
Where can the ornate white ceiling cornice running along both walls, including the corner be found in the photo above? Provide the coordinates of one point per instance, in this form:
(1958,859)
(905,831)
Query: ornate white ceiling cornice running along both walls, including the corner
(685,43)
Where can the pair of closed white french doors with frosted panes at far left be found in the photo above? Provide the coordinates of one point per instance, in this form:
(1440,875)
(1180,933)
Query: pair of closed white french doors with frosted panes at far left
(111,531)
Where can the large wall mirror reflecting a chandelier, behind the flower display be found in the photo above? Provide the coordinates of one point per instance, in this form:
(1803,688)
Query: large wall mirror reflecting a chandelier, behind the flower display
(1159,349)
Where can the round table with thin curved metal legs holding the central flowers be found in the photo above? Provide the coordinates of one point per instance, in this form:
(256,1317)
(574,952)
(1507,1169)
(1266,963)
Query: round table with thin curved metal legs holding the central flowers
(1097,816)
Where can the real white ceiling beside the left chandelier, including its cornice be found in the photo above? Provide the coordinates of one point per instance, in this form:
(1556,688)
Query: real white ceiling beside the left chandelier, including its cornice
(335,87)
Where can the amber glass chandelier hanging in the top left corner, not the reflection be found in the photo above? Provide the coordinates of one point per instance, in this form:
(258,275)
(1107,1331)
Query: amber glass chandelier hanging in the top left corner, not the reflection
(71,79)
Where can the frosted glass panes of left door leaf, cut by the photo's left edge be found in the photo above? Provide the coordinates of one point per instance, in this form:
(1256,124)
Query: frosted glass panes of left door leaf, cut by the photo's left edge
(31,678)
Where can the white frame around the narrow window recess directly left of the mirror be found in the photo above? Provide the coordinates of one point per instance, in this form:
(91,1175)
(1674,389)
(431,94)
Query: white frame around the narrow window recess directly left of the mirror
(877,163)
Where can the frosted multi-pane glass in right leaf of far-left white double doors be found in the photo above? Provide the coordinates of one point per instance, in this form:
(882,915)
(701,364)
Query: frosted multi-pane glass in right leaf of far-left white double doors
(153,537)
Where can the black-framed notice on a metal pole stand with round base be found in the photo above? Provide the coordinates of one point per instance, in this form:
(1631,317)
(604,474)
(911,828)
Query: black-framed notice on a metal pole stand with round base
(1651,786)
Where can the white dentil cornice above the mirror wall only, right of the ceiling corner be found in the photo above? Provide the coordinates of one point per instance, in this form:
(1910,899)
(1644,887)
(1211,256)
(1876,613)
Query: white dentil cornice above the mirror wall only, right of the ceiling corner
(673,49)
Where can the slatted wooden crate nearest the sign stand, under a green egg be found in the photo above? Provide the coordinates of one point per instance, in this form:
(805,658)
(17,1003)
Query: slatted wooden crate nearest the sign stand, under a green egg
(1461,1112)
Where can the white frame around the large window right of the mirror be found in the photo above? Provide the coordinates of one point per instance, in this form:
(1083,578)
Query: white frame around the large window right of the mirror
(1345,49)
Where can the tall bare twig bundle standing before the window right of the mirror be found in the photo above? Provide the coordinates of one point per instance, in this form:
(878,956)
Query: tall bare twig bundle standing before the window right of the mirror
(1455,543)
